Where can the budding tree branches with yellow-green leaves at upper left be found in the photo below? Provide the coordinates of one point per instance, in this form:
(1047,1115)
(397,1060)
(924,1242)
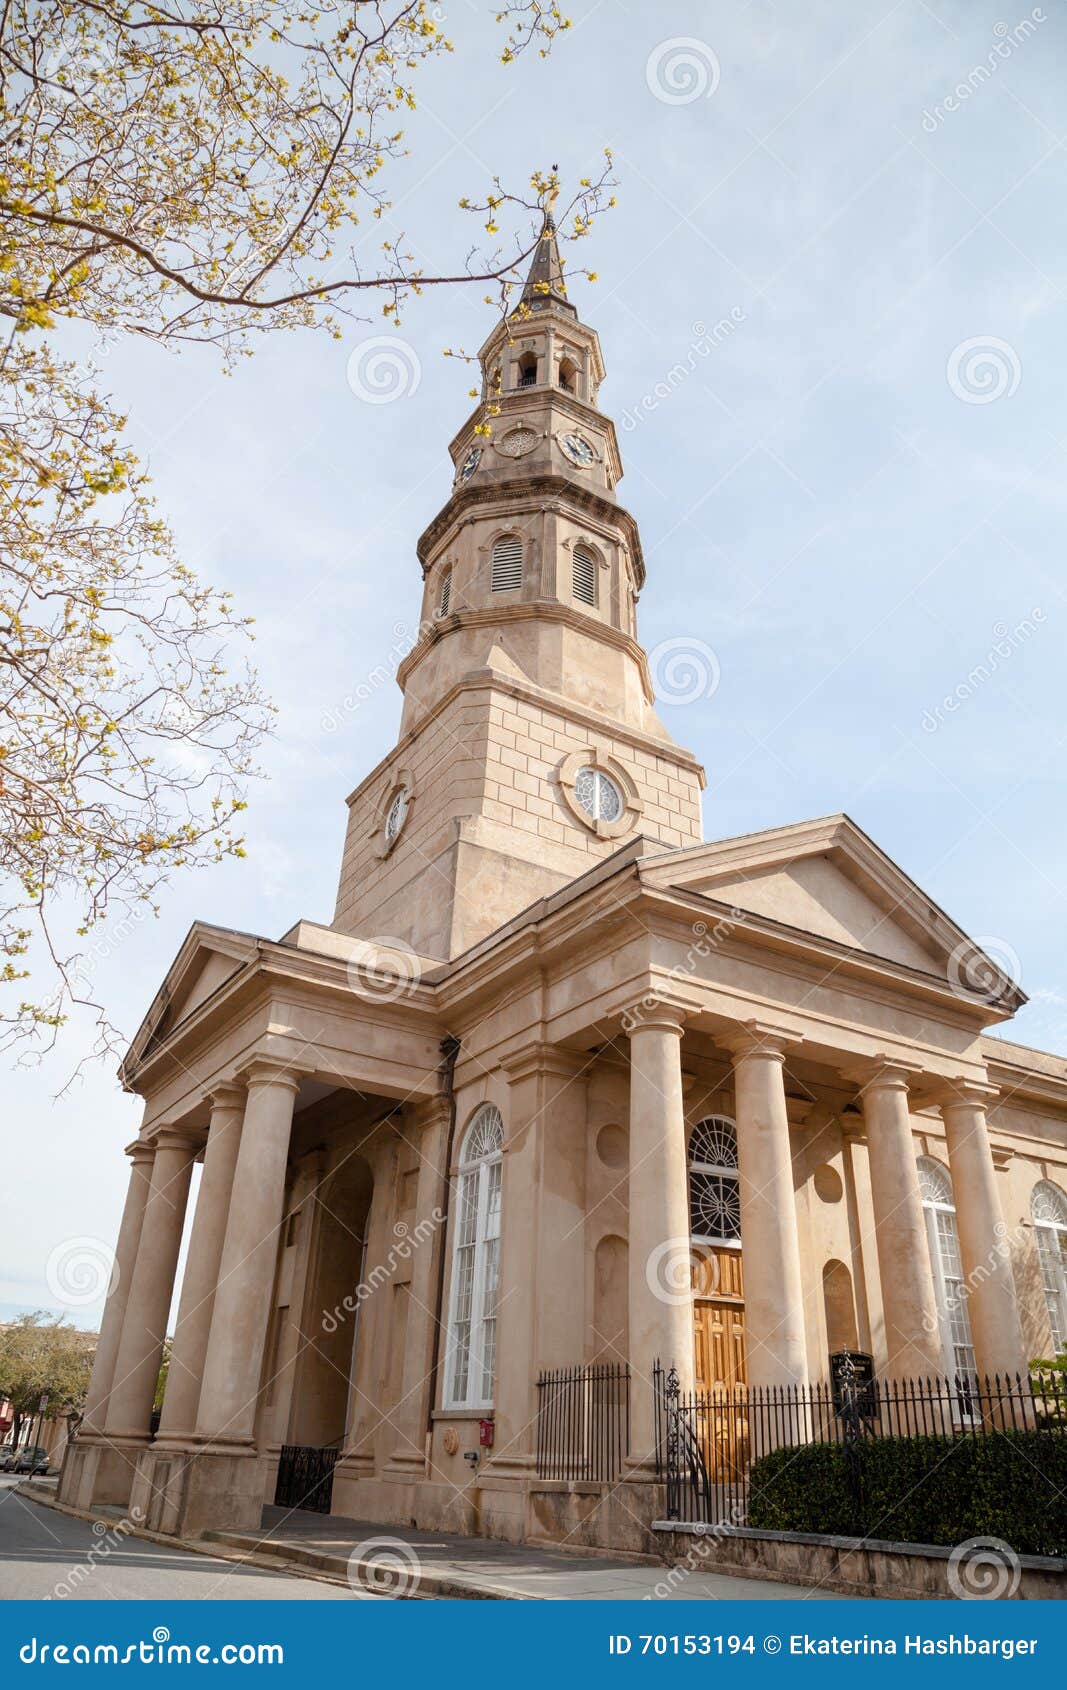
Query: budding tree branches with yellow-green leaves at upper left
(182,173)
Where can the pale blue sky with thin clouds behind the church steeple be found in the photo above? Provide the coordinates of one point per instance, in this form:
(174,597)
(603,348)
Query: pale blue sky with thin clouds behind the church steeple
(855,498)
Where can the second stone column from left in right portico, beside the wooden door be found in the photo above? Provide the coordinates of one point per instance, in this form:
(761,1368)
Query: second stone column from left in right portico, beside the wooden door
(770,1243)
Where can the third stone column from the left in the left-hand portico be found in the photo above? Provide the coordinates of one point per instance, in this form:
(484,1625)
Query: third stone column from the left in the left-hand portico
(202,1267)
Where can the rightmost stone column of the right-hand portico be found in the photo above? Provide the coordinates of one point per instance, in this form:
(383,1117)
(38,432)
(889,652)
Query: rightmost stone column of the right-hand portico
(983,1236)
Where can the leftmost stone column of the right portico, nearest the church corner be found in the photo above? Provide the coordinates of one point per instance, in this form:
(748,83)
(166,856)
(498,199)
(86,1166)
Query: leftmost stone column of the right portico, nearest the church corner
(660,1295)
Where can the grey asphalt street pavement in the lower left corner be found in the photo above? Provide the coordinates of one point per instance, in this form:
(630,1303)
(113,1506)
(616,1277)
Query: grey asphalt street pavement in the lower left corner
(50,1556)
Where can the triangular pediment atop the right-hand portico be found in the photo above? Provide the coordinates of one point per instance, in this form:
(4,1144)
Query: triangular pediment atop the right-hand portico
(828,878)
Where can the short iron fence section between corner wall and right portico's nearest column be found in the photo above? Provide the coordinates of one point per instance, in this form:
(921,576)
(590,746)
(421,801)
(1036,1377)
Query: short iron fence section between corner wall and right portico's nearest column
(584,1422)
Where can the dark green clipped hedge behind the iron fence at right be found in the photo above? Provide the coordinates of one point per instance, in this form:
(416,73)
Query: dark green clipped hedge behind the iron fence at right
(938,1490)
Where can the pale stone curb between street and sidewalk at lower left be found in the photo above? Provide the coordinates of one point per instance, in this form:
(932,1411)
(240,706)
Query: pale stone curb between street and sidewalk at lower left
(282,1557)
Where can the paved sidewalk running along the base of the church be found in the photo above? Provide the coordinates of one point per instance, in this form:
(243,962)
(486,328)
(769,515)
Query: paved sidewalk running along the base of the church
(398,1562)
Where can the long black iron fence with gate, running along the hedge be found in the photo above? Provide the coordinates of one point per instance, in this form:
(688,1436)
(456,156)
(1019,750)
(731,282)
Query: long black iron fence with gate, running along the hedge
(730,1456)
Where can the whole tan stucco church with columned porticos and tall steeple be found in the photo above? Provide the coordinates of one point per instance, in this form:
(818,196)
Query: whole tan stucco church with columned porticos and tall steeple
(561,1086)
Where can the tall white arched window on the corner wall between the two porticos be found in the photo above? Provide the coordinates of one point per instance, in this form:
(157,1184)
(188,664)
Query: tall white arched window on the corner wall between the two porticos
(476,1263)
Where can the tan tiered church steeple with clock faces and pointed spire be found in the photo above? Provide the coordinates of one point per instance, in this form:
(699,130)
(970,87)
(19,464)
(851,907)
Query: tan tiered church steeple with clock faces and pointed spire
(530,744)
